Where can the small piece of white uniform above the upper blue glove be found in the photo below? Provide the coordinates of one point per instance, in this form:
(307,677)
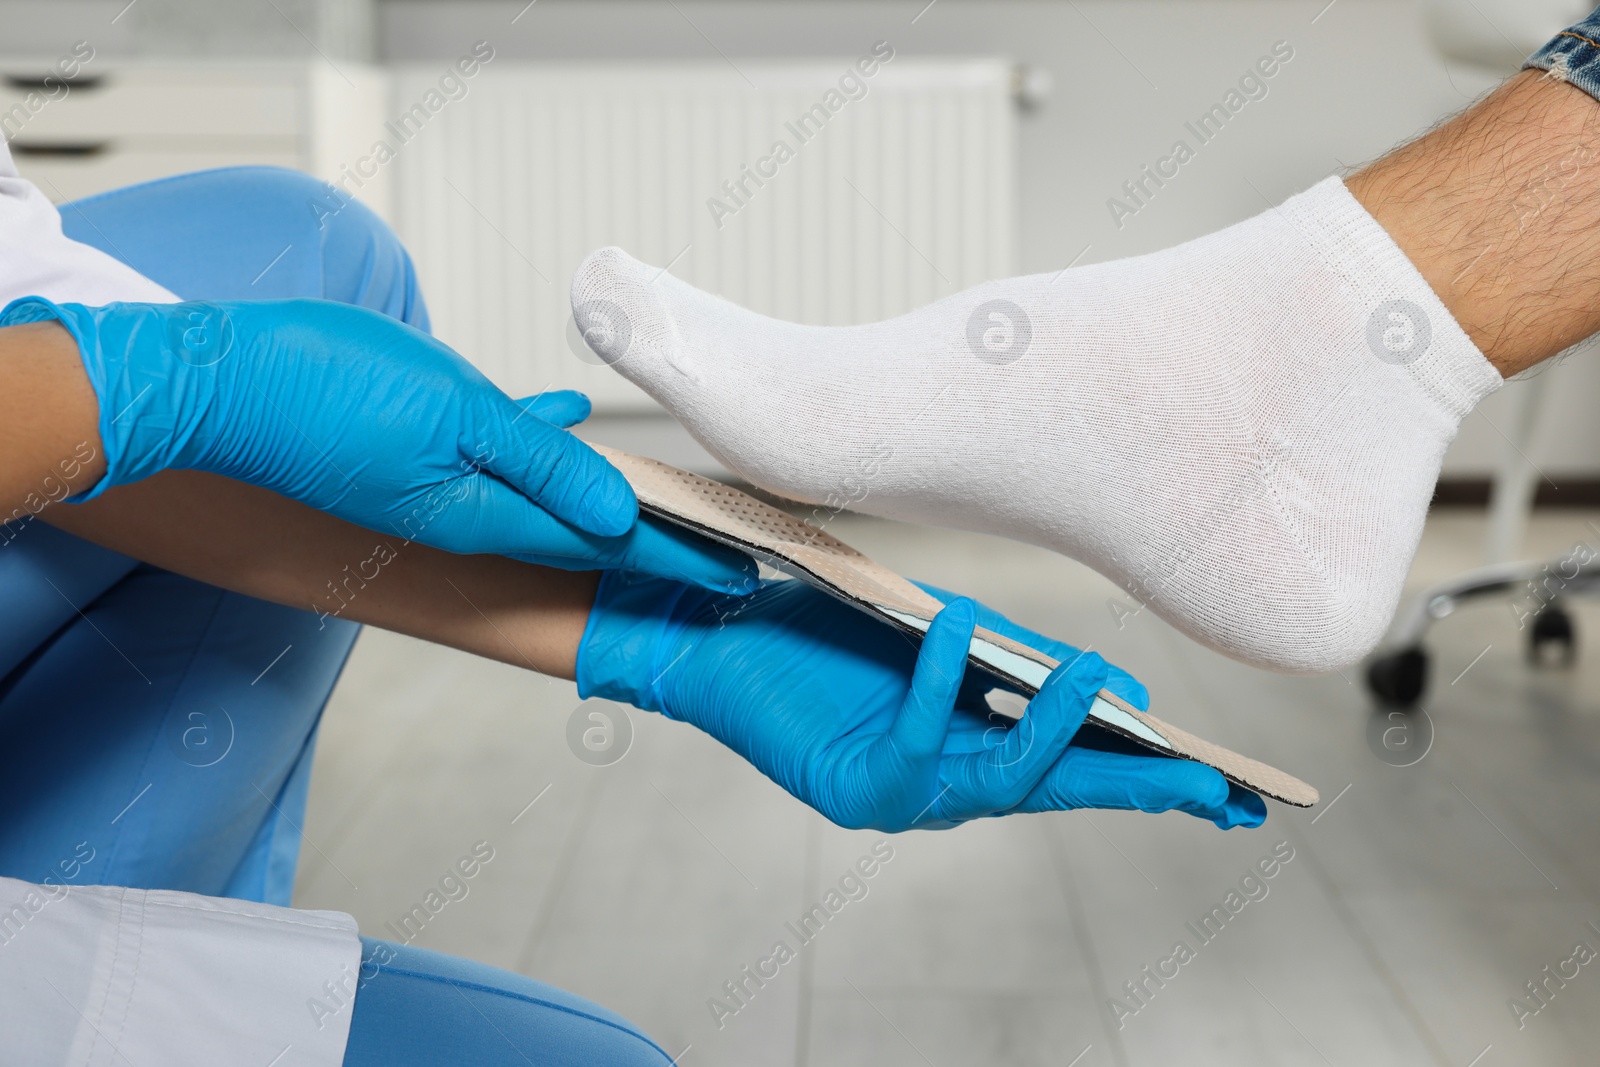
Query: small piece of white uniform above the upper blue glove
(39,260)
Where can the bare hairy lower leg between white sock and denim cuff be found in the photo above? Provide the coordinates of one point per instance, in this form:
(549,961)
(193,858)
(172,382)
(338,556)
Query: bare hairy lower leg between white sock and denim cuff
(1500,209)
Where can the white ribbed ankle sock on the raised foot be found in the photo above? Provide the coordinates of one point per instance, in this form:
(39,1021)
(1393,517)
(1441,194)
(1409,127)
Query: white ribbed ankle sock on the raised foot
(1244,431)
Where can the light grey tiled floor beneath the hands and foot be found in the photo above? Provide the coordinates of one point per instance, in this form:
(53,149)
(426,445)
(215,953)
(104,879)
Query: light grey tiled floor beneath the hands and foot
(1415,906)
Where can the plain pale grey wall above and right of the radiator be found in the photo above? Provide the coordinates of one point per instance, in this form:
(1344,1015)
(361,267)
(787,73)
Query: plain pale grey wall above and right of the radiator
(1127,76)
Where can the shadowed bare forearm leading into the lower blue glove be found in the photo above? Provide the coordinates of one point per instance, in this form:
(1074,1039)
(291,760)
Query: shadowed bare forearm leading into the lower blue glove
(257,543)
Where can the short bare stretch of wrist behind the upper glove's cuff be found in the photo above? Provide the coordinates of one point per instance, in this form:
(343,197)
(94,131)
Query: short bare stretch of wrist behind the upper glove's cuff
(50,444)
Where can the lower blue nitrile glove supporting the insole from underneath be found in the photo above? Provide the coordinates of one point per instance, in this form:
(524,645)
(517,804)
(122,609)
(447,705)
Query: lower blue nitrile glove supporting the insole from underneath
(850,717)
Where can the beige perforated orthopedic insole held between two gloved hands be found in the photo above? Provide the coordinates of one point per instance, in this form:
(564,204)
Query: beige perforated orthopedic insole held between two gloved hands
(791,546)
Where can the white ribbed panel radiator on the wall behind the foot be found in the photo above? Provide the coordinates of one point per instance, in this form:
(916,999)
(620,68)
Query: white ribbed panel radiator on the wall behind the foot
(898,198)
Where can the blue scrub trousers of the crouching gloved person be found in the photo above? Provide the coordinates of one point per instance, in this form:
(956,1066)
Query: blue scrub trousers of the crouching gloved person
(159,733)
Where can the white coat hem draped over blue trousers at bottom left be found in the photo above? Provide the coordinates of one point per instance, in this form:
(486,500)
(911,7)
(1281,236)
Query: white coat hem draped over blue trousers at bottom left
(100,977)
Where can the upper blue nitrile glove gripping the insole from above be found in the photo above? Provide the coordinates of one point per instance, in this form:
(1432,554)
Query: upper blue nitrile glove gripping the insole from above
(366,418)
